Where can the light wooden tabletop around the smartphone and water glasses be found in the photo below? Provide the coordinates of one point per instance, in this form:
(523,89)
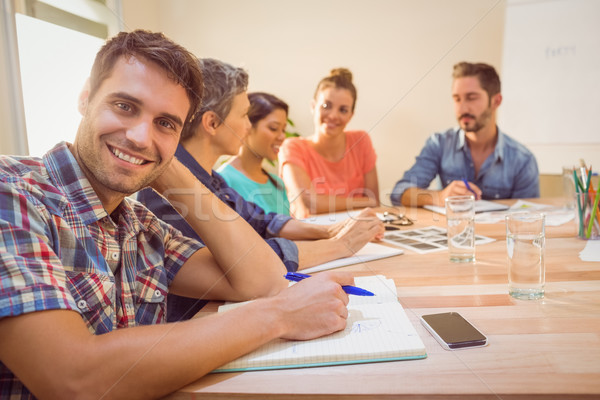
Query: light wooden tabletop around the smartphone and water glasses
(543,349)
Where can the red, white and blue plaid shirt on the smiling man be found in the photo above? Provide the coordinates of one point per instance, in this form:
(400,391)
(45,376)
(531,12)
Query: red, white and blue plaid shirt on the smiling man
(59,248)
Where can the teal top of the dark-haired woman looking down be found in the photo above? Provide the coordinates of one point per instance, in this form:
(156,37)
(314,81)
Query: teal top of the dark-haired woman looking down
(270,196)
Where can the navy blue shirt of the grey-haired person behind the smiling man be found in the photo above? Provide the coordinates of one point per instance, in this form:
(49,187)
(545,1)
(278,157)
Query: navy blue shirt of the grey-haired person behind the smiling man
(267,225)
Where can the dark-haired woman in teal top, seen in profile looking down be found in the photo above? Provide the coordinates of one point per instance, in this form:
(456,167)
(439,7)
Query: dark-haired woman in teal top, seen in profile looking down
(245,172)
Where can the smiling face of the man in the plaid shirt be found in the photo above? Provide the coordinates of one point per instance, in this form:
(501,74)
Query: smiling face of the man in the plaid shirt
(130,128)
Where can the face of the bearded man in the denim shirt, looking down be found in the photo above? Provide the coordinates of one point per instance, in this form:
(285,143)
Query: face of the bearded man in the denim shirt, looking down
(473,107)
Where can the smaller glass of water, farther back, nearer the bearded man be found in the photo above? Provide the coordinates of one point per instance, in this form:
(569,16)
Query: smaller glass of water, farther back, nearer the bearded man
(460,216)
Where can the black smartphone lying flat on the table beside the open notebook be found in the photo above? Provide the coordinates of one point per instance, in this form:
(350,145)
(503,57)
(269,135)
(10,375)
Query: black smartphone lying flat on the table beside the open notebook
(452,331)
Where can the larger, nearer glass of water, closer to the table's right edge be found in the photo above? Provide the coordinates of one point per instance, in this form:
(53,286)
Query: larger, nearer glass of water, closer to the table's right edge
(525,248)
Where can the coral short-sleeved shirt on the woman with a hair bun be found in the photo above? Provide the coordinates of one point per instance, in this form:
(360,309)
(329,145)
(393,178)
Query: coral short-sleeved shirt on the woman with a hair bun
(344,178)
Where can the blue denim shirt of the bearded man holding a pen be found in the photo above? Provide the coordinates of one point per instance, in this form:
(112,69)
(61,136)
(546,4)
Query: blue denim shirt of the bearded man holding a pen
(509,172)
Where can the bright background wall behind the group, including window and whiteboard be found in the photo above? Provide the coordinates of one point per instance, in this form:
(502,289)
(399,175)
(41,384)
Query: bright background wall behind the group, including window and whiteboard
(401,54)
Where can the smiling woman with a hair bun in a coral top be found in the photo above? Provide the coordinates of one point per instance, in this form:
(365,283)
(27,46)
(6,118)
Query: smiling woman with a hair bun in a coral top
(332,170)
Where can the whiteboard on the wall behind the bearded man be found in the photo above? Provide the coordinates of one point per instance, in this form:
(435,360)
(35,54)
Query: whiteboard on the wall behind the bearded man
(551,80)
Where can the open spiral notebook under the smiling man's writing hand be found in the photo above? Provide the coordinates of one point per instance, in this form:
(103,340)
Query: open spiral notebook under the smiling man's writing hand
(377,330)
